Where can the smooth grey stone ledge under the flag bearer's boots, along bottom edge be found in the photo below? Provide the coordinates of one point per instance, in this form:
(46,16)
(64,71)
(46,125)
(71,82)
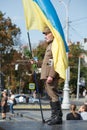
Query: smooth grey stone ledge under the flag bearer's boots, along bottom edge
(38,125)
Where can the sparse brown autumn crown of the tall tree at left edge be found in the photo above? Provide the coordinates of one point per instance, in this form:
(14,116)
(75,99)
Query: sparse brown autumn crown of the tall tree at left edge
(8,32)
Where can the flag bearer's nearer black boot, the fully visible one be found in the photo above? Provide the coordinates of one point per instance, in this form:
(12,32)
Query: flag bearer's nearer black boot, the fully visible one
(57,118)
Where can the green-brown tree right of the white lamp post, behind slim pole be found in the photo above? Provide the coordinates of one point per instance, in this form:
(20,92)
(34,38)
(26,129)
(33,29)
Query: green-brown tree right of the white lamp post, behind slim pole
(76,50)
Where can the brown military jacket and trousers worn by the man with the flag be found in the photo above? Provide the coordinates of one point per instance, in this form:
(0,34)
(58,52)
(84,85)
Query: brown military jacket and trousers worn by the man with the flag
(48,70)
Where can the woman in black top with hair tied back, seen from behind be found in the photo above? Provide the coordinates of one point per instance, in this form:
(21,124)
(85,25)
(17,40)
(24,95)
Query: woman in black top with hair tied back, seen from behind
(73,115)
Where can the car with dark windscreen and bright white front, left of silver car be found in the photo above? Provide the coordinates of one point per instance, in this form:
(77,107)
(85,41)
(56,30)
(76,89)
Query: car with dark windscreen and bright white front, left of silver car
(21,98)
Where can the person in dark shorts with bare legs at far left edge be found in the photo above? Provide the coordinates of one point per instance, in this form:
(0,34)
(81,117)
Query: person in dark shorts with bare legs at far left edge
(4,104)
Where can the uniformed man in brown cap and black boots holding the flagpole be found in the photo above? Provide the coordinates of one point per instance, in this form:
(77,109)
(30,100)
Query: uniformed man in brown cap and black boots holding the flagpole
(51,78)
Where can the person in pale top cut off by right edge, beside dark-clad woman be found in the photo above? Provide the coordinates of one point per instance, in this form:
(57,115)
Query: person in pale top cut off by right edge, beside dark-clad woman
(83,111)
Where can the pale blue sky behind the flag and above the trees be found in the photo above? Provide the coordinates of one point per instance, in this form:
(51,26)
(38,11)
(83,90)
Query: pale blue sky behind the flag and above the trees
(77,13)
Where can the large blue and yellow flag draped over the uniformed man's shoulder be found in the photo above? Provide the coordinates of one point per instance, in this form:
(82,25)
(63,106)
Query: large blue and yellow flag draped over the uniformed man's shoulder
(38,15)
